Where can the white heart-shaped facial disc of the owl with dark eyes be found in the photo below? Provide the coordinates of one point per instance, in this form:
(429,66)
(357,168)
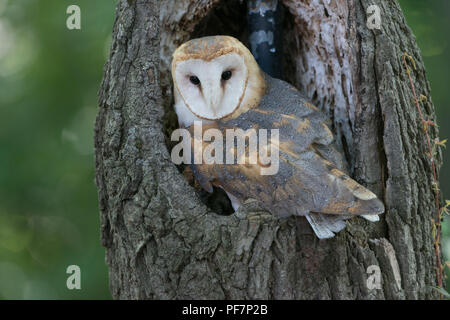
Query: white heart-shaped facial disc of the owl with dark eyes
(212,89)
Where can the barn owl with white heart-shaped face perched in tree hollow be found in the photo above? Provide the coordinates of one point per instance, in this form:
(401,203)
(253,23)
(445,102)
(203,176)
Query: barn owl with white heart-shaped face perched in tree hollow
(218,83)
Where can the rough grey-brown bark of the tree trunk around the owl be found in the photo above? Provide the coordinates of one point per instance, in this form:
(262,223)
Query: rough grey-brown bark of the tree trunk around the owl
(162,242)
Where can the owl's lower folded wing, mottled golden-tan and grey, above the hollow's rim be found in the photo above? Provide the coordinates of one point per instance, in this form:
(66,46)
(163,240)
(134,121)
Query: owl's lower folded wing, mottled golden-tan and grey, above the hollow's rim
(305,183)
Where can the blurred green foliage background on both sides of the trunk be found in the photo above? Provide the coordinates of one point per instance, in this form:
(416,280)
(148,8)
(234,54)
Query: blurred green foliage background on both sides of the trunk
(49,78)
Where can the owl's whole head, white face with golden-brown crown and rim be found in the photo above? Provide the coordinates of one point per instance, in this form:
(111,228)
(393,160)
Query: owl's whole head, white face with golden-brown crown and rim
(216,77)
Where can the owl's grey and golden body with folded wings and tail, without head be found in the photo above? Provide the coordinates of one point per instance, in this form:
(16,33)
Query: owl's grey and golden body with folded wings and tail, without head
(311,178)
